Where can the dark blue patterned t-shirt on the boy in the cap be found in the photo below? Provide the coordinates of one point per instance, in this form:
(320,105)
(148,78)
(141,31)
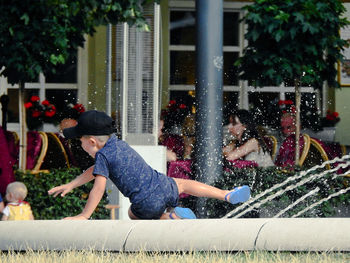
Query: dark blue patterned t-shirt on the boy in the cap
(134,178)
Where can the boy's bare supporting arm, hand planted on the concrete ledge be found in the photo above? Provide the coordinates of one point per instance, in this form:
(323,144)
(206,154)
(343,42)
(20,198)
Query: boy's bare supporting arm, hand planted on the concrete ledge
(95,197)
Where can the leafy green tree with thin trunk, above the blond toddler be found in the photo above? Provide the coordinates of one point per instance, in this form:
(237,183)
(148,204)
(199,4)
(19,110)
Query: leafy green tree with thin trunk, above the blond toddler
(37,35)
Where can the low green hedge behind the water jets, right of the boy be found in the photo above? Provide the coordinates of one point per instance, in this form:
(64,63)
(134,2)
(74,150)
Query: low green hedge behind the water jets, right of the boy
(260,179)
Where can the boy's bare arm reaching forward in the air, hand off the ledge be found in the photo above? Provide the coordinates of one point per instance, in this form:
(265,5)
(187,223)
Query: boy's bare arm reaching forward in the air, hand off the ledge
(84,178)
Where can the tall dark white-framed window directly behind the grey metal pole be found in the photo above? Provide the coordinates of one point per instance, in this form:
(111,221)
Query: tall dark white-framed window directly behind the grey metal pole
(182,41)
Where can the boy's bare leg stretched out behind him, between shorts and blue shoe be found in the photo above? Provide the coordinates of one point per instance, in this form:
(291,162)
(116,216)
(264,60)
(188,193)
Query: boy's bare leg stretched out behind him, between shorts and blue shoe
(199,189)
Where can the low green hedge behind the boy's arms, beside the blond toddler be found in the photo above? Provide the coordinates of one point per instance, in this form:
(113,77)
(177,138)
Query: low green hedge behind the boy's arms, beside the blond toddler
(48,207)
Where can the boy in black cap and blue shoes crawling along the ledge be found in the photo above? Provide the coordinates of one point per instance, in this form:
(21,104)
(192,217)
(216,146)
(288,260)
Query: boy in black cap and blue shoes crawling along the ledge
(149,191)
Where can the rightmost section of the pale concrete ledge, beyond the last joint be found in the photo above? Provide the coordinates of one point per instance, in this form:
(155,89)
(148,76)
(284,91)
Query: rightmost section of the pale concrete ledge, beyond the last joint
(305,234)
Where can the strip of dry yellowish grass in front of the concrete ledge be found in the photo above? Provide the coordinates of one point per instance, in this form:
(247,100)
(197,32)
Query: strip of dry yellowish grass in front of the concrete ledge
(142,257)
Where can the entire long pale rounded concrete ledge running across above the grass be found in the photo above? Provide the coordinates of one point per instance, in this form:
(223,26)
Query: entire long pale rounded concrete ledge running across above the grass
(297,234)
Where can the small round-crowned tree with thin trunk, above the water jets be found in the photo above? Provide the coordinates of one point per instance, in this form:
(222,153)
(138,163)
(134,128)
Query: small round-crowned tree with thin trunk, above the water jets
(294,41)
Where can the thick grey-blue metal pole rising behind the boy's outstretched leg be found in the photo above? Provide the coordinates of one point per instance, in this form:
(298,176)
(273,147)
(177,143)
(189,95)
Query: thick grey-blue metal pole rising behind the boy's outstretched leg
(209,90)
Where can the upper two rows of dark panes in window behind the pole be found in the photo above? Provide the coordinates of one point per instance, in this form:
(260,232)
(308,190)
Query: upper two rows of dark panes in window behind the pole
(182,47)
